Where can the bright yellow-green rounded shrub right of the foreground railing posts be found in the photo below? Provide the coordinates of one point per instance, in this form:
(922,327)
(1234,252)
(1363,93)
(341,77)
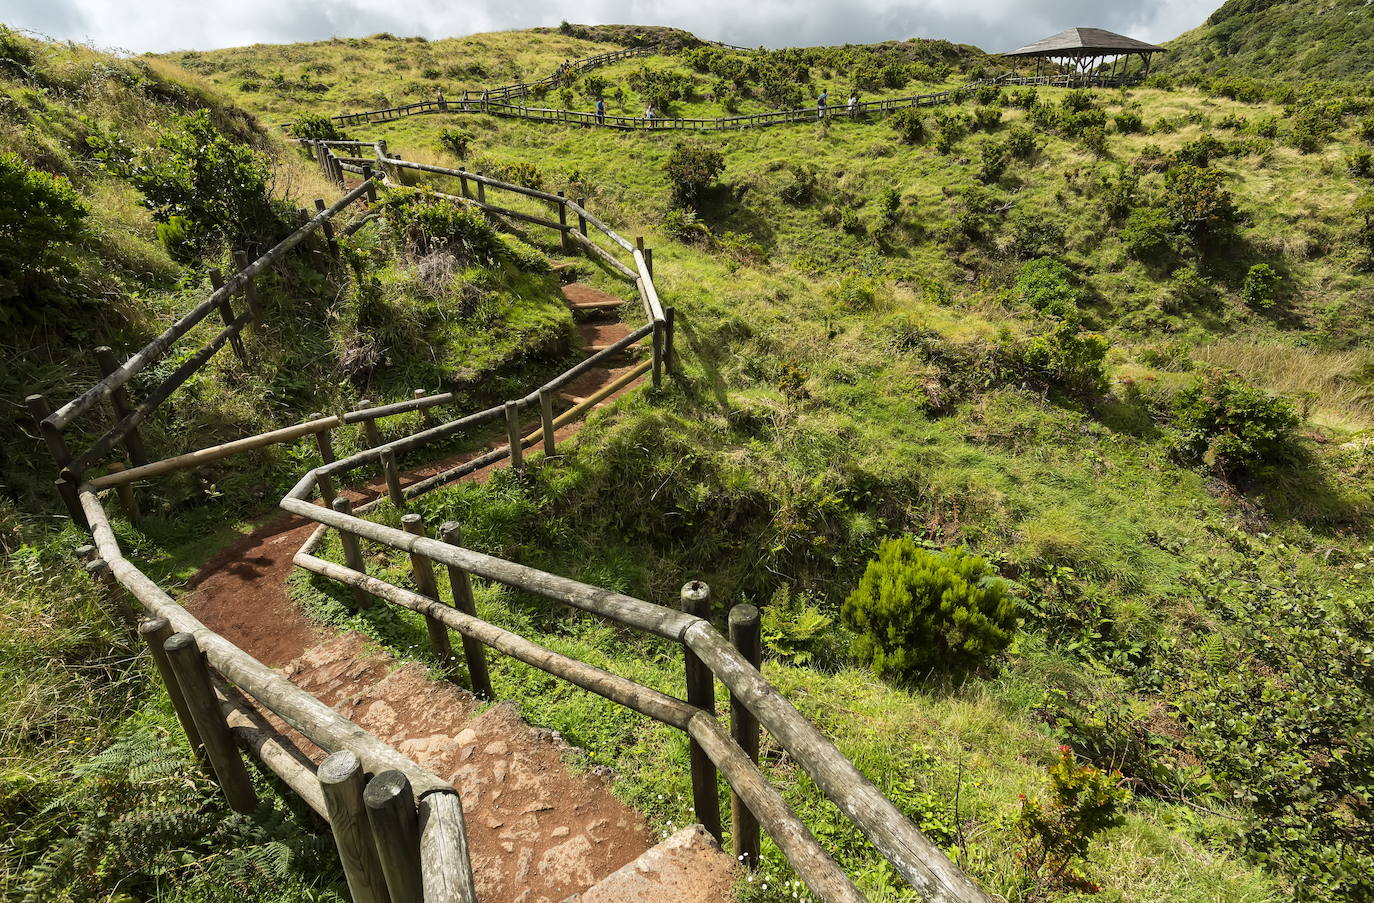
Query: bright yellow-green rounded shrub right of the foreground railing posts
(920,611)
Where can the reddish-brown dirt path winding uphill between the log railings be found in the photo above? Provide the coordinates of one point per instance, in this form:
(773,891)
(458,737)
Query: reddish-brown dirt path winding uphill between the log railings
(539,834)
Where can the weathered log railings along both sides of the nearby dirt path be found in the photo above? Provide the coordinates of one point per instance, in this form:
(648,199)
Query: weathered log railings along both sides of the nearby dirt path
(433,854)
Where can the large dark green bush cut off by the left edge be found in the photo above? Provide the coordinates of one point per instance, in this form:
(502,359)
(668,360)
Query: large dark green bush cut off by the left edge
(38,215)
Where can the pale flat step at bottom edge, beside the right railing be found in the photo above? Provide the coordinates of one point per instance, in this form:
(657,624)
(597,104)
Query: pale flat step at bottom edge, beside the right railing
(688,868)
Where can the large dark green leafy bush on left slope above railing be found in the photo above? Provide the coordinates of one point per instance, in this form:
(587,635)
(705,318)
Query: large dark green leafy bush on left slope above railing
(216,185)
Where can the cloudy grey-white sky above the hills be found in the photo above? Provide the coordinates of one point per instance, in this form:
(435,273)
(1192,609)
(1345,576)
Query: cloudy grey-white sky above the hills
(994,25)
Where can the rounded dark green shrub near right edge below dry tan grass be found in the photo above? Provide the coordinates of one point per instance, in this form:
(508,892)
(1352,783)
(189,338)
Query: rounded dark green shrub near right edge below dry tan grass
(1233,428)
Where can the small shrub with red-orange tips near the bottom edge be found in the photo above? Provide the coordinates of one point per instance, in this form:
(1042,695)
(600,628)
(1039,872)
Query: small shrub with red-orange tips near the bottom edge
(1056,835)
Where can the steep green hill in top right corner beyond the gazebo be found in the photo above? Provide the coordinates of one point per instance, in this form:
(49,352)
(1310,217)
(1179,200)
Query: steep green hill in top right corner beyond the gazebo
(1298,41)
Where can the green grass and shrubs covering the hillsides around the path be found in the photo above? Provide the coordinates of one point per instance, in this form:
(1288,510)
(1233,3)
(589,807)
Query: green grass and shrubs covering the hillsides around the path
(1086,376)
